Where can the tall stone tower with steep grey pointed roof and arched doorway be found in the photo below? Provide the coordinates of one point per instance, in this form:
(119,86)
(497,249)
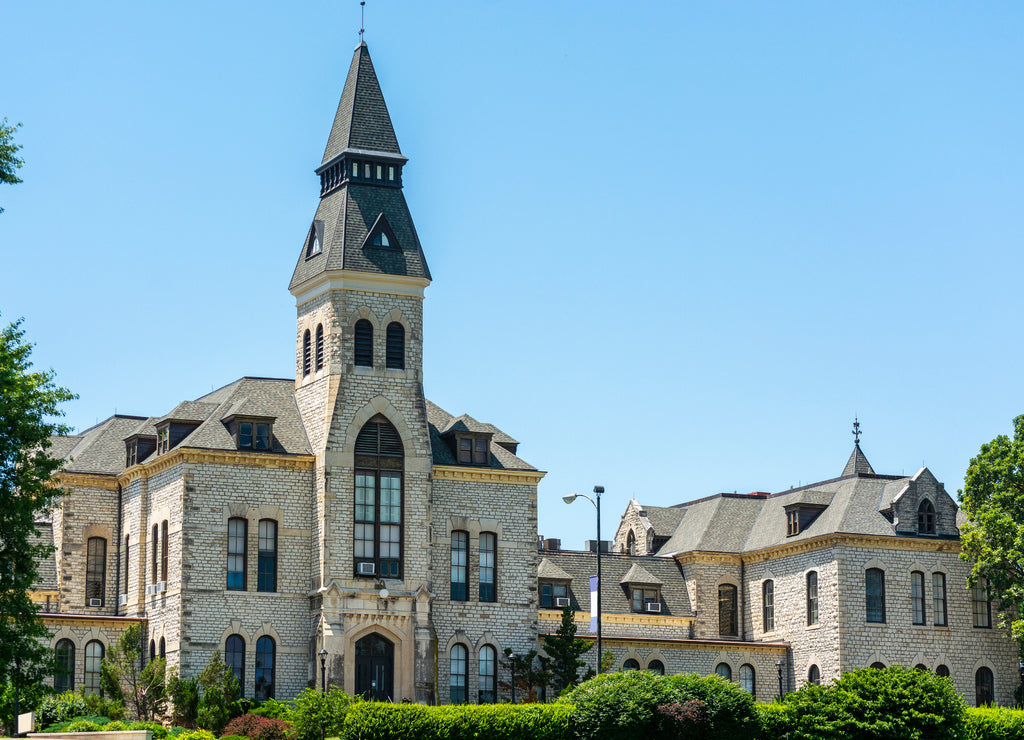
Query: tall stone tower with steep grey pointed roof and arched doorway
(359,285)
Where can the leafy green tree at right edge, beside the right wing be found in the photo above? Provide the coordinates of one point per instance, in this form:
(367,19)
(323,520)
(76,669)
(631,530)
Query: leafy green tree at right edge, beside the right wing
(993,499)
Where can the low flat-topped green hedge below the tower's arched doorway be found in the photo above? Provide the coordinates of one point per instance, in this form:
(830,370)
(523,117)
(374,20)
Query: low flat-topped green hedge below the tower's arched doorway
(380,721)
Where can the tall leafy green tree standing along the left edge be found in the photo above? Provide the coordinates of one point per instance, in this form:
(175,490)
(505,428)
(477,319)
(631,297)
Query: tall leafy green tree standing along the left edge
(29,404)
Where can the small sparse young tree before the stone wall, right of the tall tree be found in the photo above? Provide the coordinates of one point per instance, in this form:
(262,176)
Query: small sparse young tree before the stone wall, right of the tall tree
(144,690)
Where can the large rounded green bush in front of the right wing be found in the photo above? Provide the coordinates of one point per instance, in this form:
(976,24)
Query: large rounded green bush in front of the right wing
(871,704)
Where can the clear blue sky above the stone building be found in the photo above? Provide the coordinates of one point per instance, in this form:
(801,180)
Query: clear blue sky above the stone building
(676,246)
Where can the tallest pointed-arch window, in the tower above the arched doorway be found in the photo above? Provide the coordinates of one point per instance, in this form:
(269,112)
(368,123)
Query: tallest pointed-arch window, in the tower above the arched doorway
(377,536)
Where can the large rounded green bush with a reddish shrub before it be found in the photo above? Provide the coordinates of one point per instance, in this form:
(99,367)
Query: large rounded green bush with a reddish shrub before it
(623,706)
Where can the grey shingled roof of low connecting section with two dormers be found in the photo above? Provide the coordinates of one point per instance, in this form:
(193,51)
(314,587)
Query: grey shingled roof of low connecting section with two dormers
(616,595)
